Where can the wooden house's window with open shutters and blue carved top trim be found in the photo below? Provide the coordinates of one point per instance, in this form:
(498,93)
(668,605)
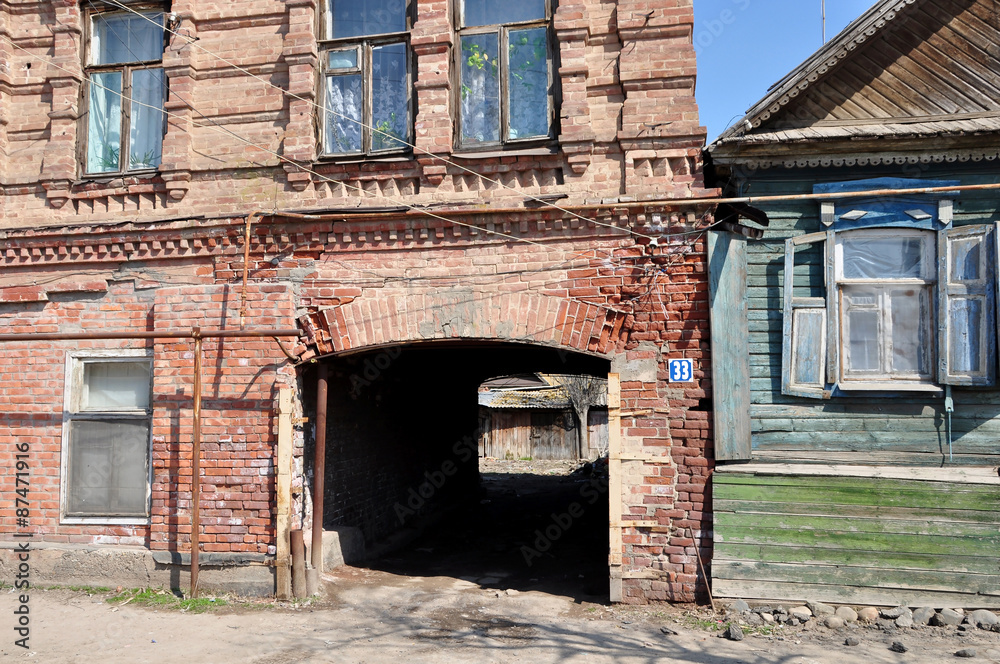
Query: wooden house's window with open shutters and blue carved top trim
(890,298)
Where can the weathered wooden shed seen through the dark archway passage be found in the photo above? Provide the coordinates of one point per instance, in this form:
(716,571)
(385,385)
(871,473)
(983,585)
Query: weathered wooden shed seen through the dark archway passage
(537,416)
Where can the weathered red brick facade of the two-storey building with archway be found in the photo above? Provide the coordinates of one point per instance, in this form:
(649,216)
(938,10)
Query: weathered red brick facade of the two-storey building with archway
(475,260)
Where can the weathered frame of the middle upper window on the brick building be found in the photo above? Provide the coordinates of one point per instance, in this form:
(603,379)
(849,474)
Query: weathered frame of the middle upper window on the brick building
(363,46)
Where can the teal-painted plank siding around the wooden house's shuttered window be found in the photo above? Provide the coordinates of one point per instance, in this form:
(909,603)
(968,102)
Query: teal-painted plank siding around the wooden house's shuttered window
(905,429)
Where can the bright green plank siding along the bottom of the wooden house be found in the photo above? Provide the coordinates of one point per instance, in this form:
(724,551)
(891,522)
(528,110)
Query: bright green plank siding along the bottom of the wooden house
(856,540)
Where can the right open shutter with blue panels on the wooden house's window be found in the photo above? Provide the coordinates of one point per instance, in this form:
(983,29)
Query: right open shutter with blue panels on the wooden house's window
(967,337)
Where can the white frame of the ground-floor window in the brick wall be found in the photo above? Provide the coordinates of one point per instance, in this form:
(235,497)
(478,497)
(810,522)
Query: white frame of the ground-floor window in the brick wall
(72,395)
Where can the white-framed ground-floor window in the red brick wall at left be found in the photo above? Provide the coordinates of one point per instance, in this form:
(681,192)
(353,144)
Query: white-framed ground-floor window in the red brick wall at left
(106,438)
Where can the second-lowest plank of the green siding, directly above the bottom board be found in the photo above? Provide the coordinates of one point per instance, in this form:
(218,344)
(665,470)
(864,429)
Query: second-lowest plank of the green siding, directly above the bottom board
(856,576)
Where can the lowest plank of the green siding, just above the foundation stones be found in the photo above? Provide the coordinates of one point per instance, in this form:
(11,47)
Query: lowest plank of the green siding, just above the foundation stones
(835,594)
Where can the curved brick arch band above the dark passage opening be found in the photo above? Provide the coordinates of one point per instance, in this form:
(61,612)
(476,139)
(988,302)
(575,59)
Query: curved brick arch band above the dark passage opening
(406,316)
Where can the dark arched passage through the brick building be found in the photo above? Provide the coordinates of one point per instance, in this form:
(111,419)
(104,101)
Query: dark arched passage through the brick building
(403,467)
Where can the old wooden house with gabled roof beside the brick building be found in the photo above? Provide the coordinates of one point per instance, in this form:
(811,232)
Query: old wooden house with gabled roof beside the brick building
(855,345)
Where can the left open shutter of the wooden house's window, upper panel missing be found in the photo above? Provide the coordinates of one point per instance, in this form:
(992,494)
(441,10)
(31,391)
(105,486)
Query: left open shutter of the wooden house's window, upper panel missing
(804,350)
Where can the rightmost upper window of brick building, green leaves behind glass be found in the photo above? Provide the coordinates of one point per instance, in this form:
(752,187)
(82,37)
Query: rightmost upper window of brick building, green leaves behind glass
(505,71)
